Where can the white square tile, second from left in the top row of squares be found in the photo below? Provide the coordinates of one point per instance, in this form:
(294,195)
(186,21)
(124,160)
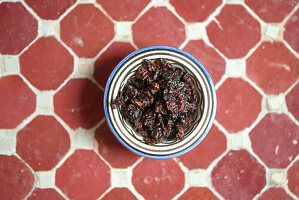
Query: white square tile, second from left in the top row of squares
(123,31)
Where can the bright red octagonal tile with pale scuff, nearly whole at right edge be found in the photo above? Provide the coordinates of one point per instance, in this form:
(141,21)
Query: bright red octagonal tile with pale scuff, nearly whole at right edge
(273,67)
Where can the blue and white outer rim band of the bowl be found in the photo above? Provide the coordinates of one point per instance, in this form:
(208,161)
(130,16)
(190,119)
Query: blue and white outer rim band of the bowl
(213,92)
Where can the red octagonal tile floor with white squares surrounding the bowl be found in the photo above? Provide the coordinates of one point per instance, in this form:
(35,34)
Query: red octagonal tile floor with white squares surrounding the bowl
(55,58)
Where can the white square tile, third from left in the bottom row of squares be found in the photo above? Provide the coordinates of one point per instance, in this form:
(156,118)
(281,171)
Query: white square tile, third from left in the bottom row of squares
(199,177)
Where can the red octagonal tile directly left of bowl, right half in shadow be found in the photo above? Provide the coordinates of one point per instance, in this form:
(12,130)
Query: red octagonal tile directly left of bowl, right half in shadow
(79,103)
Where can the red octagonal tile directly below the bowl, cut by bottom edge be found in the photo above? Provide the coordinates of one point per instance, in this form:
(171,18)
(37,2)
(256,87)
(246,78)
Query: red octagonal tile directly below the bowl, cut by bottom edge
(150,175)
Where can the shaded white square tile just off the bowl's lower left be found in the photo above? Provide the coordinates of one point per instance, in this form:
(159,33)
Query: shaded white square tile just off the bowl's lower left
(84,139)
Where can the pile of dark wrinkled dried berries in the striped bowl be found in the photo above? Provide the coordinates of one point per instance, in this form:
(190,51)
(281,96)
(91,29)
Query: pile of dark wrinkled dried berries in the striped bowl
(159,101)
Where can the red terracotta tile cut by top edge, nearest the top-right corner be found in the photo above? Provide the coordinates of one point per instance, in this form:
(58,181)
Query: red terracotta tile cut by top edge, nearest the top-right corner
(272,10)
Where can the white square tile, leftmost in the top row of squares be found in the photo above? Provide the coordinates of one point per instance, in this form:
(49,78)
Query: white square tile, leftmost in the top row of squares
(49,28)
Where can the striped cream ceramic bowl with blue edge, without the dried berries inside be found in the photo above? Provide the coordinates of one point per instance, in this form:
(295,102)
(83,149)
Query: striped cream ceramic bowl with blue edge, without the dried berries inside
(203,118)
